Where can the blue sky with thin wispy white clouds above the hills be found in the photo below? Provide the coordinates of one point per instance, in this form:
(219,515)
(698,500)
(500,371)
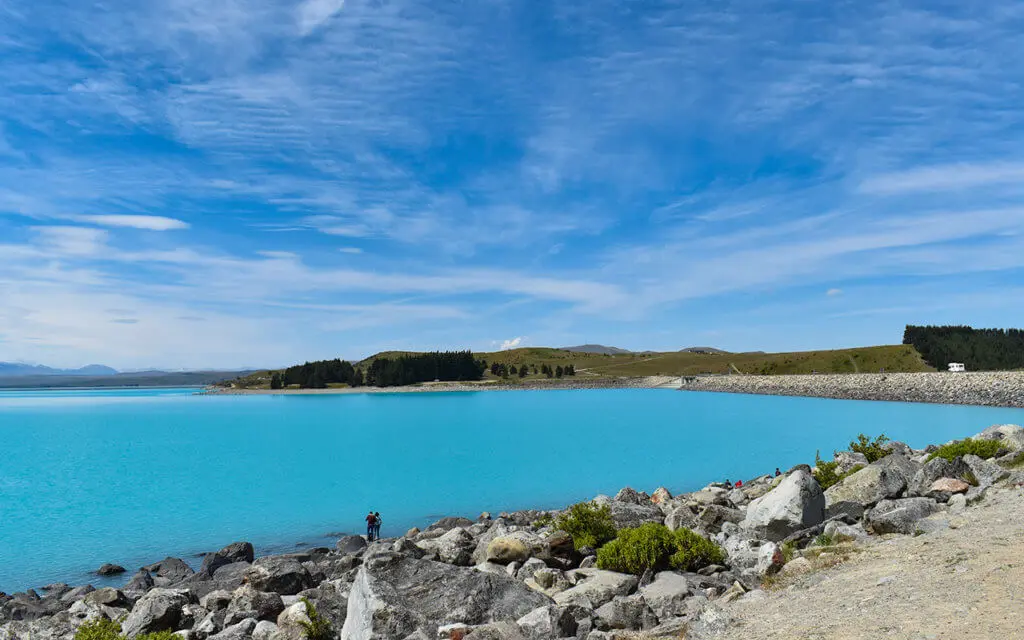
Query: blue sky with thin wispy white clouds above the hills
(192,184)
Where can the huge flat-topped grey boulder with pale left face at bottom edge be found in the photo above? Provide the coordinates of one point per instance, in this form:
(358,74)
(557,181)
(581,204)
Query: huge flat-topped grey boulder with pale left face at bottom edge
(395,596)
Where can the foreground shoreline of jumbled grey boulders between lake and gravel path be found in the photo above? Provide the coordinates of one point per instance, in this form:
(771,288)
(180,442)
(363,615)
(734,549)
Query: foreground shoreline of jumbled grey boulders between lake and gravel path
(520,577)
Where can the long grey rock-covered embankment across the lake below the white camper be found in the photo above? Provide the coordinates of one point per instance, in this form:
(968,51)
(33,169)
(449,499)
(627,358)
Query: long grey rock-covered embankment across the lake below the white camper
(991,389)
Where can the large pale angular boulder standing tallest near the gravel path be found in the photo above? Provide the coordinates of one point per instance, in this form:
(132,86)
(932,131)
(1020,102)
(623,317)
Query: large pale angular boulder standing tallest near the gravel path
(796,504)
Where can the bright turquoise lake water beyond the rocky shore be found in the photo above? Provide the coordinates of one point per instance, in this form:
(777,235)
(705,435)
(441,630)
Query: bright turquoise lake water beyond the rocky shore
(132,477)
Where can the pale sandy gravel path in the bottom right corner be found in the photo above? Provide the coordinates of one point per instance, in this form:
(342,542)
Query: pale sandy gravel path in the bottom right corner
(959,584)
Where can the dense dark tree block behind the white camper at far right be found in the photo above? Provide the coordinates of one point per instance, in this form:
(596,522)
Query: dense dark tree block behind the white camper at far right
(979,350)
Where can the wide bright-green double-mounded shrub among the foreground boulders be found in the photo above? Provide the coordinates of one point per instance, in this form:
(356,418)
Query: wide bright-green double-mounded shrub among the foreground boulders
(655,547)
